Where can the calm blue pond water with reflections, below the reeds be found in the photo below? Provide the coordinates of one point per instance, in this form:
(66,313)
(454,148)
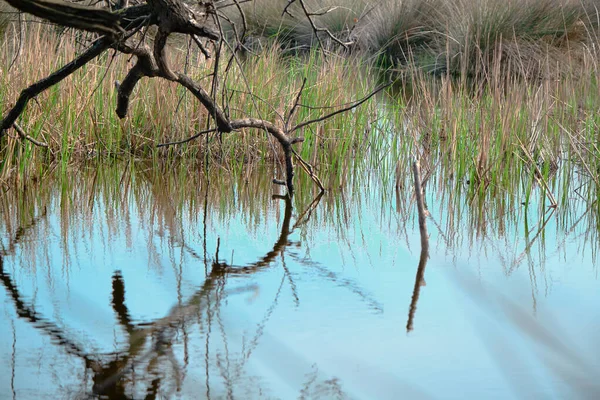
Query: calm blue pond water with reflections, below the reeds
(121,282)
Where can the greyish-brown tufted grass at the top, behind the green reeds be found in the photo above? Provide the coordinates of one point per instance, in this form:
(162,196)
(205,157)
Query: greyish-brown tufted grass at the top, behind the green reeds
(458,37)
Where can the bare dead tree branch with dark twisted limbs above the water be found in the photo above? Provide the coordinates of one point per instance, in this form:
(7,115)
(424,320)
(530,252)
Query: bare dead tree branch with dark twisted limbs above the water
(119,29)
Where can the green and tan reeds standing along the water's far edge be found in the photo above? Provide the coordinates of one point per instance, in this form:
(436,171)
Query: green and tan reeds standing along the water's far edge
(512,138)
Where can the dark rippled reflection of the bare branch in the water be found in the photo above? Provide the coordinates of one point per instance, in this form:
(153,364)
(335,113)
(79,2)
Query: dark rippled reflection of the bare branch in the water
(150,344)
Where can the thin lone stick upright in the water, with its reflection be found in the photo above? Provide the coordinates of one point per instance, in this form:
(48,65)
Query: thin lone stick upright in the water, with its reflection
(419,280)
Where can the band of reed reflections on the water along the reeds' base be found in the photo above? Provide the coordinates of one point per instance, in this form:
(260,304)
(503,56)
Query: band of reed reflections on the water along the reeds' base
(174,204)
